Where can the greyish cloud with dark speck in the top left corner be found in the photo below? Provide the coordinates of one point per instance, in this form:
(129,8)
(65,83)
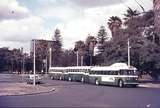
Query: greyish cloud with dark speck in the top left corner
(10,9)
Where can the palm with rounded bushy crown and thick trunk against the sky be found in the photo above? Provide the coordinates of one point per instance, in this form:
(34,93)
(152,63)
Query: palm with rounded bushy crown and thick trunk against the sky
(114,24)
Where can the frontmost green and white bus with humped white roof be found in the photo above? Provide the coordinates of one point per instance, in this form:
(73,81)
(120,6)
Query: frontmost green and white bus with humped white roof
(118,74)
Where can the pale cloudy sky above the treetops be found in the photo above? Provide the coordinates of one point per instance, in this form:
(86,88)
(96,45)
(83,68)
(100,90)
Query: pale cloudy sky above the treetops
(24,20)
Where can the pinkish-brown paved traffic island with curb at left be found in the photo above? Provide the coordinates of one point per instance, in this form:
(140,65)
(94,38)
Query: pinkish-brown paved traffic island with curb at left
(9,89)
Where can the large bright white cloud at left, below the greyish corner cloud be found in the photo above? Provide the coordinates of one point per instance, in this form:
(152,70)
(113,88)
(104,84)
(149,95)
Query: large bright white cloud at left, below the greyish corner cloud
(21,30)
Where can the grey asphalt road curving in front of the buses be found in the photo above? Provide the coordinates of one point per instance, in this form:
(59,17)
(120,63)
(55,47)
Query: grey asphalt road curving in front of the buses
(75,94)
